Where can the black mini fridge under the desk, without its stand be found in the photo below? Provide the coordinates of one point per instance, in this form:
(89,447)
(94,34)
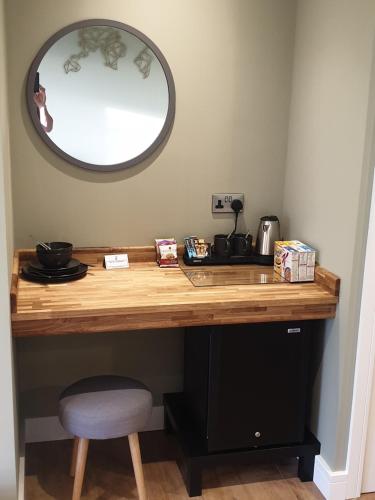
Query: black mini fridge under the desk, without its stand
(246,385)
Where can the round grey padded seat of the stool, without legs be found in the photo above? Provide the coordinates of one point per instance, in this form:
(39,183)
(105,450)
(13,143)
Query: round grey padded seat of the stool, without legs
(105,407)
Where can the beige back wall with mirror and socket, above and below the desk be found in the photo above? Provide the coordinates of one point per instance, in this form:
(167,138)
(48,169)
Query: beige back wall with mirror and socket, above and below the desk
(231,62)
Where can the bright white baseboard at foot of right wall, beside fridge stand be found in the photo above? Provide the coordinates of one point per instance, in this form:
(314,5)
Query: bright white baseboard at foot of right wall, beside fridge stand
(332,484)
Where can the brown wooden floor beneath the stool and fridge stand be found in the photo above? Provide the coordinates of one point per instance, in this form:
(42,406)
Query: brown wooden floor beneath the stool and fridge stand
(109,474)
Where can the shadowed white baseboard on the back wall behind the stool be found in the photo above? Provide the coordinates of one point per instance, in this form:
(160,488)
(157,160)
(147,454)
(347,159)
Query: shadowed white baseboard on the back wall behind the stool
(49,428)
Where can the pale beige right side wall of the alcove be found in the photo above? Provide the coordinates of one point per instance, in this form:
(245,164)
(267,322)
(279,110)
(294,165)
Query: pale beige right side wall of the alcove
(327,183)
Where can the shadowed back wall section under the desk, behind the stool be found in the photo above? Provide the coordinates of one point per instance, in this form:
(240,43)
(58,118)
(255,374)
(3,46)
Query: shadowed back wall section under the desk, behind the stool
(47,365)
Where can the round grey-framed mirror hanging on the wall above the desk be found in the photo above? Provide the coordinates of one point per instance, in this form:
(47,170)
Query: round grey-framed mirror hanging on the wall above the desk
(101,95)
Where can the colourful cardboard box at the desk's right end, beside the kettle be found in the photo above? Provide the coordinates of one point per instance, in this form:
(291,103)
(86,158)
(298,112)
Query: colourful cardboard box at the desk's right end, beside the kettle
(294,260)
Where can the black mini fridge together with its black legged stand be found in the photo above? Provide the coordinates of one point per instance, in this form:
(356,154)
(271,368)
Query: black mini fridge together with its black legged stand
(246,393)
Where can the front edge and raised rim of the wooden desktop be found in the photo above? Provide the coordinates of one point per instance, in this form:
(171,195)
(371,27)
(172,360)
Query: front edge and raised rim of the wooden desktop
(184,317)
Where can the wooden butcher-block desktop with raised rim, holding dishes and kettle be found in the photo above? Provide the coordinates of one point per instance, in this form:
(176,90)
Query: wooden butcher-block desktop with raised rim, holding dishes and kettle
(145,296)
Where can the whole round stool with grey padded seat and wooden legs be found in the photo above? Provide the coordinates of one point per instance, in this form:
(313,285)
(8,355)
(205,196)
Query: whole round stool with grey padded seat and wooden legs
(105,407)
